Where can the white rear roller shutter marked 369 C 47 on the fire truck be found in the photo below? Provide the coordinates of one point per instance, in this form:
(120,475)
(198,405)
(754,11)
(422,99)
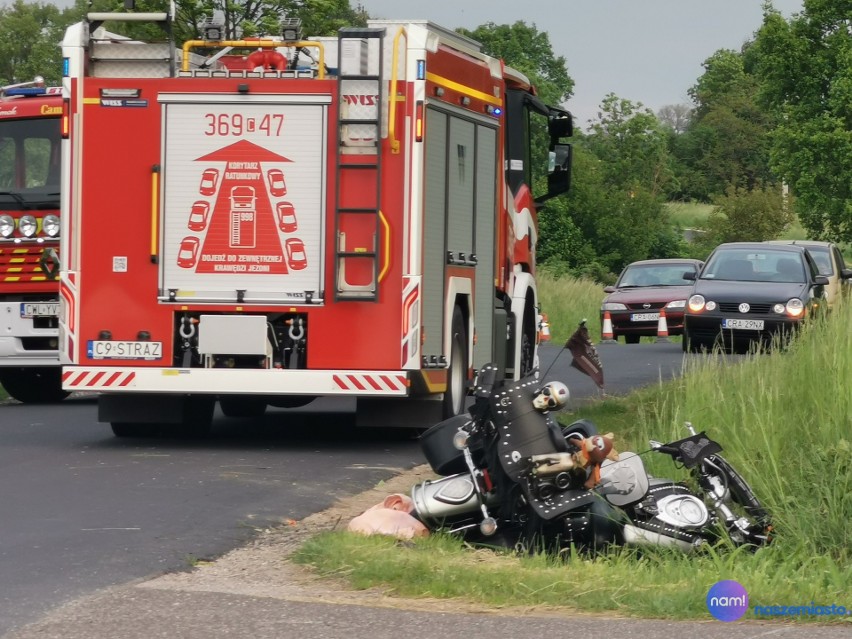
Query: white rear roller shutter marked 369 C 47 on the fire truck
(227,180)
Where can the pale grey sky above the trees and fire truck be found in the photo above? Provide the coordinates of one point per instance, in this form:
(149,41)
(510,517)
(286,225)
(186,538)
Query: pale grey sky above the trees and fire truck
(647,51)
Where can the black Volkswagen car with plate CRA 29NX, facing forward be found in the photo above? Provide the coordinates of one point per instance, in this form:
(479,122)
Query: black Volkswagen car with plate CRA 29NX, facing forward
(749,292)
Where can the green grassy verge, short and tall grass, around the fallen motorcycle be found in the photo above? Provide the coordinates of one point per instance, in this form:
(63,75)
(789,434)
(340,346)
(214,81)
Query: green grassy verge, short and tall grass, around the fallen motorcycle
(783,419)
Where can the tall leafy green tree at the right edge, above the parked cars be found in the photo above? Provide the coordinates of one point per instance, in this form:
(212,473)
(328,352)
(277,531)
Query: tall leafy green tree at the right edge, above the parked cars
(806,67)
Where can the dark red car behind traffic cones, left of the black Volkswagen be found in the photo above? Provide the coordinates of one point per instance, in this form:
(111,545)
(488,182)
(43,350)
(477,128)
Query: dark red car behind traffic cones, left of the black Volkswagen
(642,290)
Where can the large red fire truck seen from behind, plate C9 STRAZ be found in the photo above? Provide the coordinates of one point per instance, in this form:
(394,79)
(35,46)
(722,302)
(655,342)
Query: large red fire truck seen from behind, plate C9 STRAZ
(404,160)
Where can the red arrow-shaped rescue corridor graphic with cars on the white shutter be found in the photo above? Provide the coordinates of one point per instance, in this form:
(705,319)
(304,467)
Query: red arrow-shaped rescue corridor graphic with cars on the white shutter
(240,234)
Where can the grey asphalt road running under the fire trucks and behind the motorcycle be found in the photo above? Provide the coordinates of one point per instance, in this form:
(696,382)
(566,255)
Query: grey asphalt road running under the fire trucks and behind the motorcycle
(83,510)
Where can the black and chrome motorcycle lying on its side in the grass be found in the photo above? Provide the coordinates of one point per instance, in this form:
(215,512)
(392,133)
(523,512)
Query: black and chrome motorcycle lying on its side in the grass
(512,476)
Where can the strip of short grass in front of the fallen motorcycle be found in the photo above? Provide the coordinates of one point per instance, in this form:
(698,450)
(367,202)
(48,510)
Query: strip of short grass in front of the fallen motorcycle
(651,584)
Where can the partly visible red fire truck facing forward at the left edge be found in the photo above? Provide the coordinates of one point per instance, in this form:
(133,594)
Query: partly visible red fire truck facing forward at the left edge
(30,141)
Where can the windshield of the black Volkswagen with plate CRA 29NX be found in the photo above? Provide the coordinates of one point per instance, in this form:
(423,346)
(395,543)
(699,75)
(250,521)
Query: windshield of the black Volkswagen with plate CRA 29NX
(755,266)
